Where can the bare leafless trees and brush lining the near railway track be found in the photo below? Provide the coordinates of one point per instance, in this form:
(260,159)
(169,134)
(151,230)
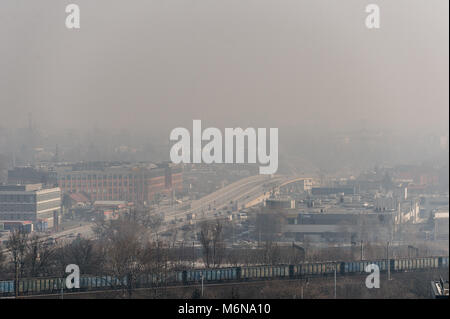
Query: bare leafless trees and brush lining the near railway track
(128,248)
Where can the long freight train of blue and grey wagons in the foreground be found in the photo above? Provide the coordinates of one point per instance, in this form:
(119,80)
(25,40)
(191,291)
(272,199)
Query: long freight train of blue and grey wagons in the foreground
(35,286)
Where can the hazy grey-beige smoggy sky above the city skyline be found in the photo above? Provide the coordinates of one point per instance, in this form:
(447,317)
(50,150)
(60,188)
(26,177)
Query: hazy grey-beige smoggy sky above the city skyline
(155,65)
